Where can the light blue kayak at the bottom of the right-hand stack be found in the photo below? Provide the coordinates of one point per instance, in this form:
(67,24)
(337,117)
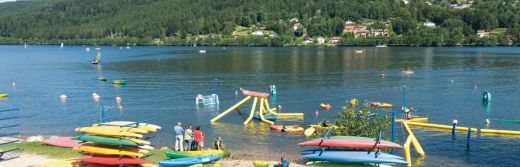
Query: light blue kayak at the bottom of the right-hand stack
(354,157)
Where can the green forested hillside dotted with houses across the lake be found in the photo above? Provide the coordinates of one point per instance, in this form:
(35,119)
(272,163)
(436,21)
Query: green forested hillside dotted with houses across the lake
(261,22)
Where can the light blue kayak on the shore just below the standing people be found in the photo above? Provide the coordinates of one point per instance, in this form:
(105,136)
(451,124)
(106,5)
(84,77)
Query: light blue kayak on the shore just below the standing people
(187,161)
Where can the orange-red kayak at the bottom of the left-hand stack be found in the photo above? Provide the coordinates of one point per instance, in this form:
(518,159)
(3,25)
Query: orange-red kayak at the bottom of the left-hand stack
(112,160)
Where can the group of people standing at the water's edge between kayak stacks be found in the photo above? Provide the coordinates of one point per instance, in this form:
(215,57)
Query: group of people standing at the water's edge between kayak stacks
(189,140)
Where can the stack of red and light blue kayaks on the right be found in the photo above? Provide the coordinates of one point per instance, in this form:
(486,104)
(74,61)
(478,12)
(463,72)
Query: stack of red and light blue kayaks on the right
(350,149)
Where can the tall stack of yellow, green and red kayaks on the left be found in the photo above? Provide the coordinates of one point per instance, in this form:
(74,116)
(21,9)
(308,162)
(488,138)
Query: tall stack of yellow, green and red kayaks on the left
(114,143)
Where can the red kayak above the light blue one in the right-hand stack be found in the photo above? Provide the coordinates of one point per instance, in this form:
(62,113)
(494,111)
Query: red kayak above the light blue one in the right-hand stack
(350,143)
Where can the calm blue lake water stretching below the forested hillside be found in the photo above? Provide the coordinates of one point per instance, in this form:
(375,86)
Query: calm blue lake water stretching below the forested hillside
(162,83)
